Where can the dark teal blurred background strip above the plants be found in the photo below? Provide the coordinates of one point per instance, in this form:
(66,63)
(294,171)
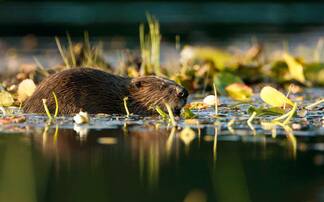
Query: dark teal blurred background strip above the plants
(106,18)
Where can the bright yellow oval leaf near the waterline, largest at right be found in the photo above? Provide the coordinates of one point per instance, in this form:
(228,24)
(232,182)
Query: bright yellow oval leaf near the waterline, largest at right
(273,97)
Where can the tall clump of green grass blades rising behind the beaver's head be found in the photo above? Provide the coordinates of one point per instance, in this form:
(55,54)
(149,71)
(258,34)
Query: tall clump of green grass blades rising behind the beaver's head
(150,47)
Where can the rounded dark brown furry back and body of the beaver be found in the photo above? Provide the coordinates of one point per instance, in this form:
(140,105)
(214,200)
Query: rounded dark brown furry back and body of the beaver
(88,89)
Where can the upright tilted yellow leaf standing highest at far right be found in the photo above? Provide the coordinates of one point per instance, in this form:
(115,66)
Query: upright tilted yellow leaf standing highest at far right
(296,70)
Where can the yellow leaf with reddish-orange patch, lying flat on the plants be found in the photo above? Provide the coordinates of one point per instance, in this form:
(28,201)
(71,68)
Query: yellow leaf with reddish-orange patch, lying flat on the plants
(239,91)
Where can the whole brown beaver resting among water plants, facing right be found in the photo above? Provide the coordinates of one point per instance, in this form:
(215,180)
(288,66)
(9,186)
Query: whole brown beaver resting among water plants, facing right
(96,91)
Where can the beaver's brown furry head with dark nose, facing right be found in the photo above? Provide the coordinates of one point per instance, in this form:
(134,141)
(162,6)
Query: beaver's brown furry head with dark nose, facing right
(148,92)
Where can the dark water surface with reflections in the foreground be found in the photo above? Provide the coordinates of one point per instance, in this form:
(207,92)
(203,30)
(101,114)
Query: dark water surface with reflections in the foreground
(137,163)
